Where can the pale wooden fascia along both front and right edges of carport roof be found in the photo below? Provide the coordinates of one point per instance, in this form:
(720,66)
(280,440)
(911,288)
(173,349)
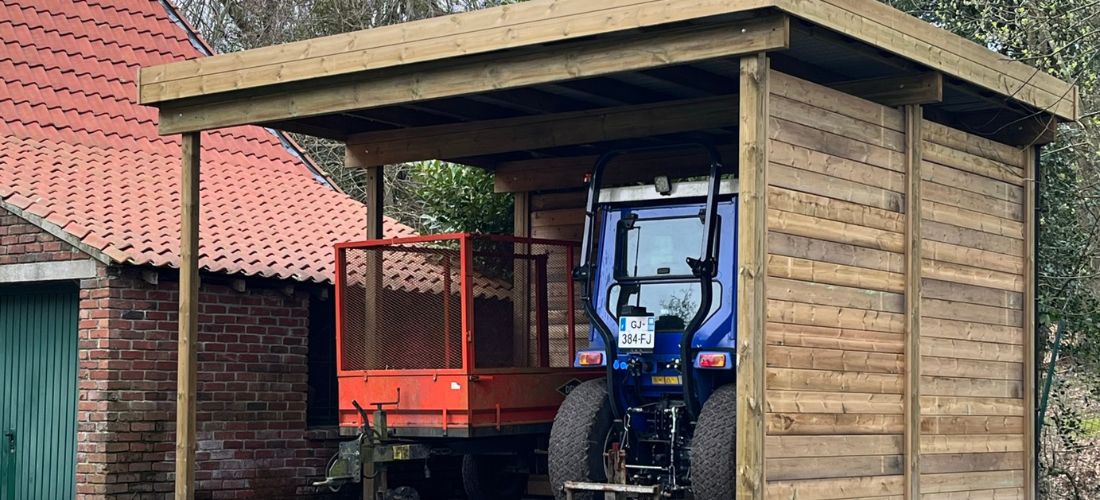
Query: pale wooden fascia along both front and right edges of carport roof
(542,23)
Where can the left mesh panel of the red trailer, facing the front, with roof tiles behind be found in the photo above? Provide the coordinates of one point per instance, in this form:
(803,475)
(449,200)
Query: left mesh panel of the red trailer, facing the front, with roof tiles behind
(401,307)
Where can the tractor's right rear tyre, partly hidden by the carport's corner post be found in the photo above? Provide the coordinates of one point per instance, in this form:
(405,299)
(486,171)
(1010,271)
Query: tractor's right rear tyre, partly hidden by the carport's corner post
(714,448)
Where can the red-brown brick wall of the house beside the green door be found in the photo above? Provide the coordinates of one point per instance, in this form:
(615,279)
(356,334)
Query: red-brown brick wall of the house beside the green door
(254,441)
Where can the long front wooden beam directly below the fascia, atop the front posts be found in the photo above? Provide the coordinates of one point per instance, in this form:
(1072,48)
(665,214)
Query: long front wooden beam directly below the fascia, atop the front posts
(483,74)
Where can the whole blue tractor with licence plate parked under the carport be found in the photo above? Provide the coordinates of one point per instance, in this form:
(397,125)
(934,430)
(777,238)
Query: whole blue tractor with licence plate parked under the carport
(658,274)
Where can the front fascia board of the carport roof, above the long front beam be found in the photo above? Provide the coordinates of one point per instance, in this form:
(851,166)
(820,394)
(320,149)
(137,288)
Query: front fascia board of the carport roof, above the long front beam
(503,28)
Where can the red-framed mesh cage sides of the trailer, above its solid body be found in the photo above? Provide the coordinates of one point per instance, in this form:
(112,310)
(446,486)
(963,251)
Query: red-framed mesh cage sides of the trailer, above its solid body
(402,305)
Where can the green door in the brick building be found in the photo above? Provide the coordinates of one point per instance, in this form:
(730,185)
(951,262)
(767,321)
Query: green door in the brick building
(38,392)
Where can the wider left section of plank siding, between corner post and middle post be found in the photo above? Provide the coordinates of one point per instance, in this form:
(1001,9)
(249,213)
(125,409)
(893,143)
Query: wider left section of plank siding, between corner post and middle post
(837,305)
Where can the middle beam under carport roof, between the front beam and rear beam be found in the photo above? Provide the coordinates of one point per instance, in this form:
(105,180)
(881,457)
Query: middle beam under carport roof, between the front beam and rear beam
(542,131)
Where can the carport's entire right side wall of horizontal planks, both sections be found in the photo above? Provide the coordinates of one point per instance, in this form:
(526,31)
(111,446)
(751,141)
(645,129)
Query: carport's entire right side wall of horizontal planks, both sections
(837,329)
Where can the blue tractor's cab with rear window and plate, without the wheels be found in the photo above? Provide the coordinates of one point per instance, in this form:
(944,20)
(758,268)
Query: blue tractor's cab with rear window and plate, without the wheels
(645,287)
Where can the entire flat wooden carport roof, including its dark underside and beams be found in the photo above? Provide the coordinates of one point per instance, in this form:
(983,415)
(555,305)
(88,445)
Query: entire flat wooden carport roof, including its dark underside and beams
(508,66)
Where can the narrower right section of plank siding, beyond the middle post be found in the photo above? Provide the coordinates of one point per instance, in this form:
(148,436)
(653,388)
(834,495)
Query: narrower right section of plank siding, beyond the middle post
(973,317)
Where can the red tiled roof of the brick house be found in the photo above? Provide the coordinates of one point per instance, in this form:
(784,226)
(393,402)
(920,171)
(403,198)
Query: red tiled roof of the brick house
(78,151)
